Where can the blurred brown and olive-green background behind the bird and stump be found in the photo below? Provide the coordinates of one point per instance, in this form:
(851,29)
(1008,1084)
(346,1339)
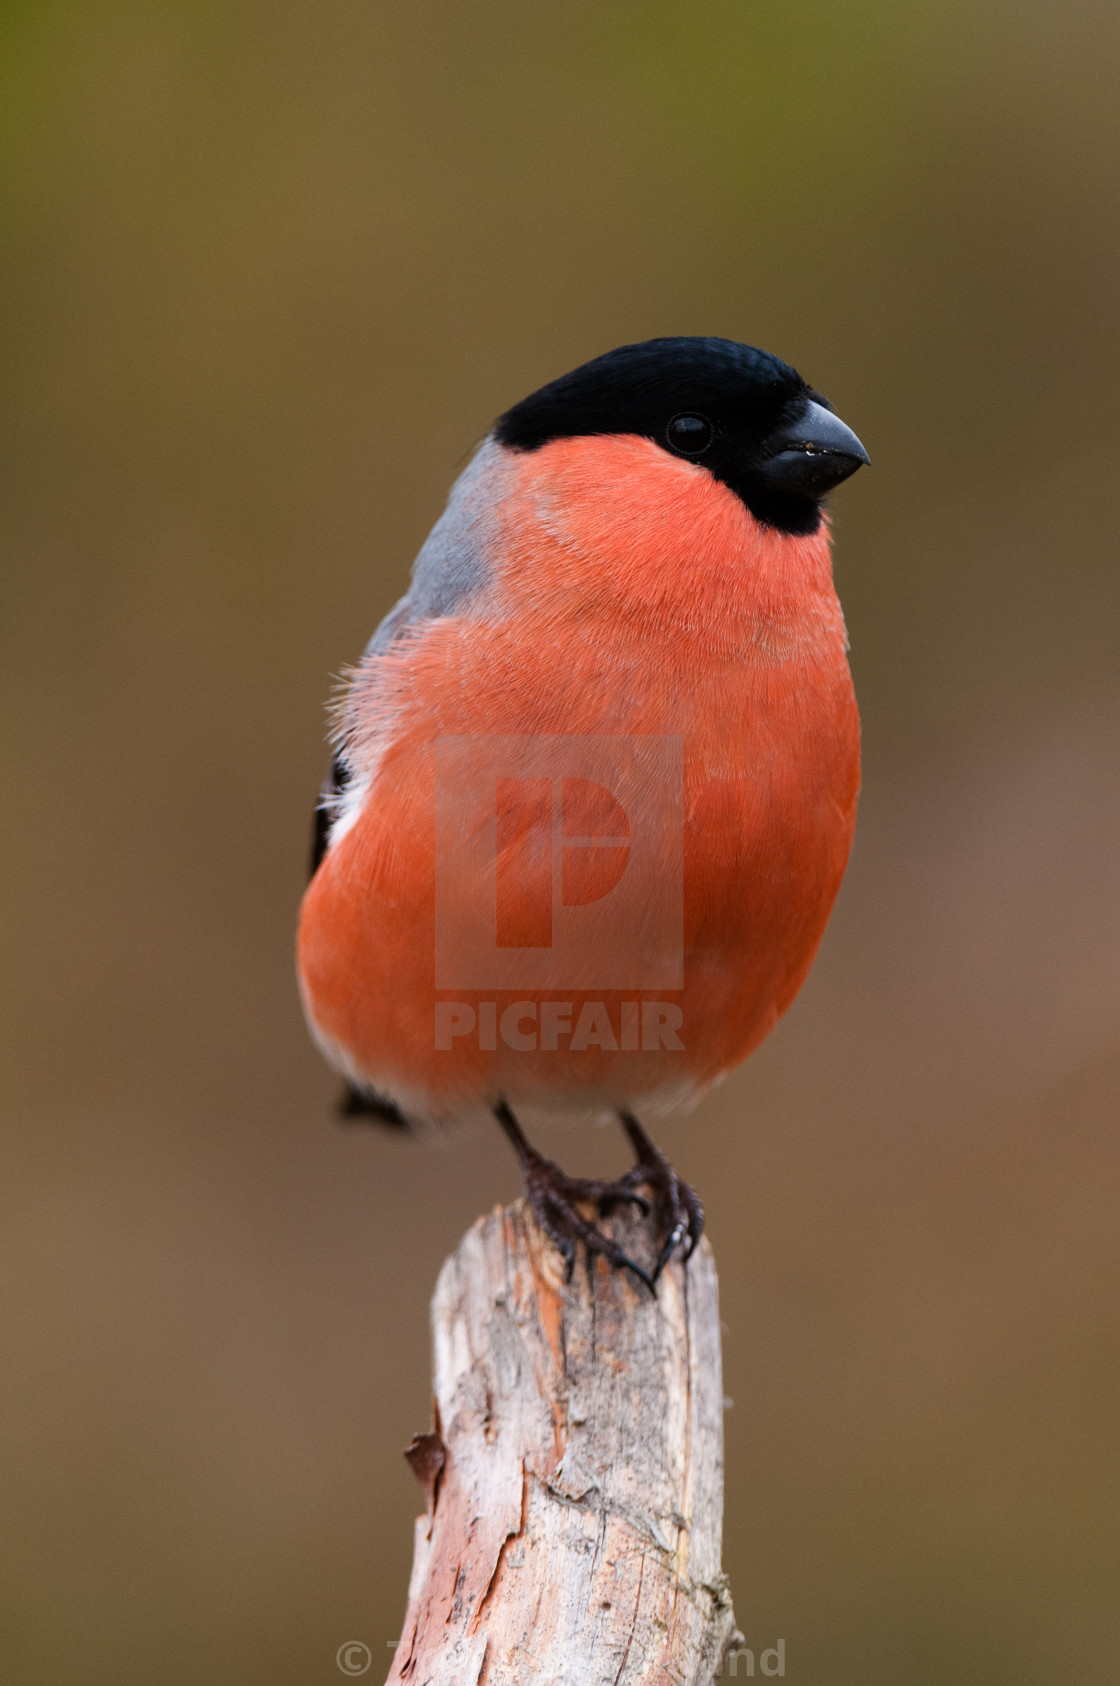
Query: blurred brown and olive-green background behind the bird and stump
(269,272)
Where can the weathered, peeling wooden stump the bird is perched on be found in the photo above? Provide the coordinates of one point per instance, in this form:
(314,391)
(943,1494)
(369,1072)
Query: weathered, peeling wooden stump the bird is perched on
(576,1474)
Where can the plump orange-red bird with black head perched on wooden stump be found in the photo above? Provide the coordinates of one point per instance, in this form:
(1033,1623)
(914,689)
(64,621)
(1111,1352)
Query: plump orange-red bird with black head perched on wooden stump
(596,775)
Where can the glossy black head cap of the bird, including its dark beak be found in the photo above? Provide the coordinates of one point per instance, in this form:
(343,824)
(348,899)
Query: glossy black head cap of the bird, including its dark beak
(741,414)
